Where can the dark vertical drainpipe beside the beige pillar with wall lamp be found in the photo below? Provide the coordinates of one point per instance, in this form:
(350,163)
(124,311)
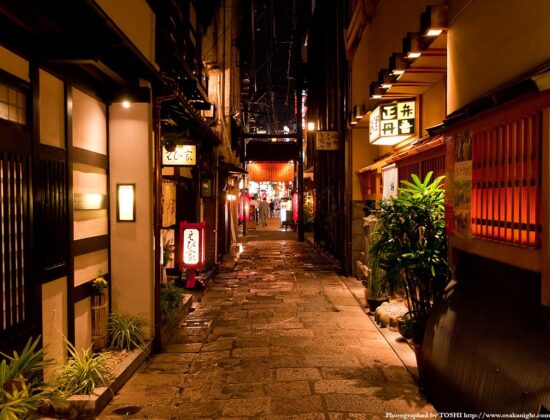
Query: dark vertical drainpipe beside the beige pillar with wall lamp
(157,216)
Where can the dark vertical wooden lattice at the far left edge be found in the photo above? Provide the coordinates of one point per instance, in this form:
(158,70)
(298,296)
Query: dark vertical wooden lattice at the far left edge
(14,171)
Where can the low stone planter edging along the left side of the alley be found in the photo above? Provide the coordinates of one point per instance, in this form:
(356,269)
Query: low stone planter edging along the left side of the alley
(90,405)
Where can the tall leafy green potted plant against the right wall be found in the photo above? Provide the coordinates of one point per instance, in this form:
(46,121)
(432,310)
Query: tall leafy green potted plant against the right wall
(412,241)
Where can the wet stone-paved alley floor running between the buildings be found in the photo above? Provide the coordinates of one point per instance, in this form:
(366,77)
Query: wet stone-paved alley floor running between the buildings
(278,336)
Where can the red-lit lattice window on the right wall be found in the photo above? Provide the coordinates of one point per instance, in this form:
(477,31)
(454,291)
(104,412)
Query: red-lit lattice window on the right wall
(506,182)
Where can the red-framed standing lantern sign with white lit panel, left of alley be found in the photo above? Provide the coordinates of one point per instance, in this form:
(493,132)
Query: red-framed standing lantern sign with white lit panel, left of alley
(192,248)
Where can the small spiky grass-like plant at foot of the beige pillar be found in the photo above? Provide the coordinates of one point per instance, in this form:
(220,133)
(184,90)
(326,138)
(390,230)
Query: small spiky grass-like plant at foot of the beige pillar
(126,331)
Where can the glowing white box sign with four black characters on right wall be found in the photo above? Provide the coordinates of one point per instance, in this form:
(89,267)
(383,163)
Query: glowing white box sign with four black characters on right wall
(392,123)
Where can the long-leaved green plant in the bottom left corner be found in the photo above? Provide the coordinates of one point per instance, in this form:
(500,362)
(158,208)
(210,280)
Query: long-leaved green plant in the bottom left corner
(22,391)
